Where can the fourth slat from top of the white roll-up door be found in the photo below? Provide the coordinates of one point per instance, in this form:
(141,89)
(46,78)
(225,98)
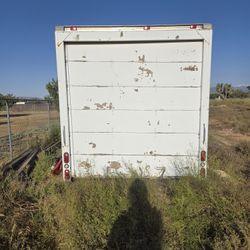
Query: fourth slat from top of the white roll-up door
(135,121)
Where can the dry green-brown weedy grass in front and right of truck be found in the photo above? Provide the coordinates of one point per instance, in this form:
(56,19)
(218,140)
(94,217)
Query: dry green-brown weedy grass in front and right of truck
(135,213)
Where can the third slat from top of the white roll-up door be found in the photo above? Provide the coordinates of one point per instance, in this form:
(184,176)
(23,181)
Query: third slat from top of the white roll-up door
(135,98)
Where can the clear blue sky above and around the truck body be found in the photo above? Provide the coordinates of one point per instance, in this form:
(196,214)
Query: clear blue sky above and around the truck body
(27,51)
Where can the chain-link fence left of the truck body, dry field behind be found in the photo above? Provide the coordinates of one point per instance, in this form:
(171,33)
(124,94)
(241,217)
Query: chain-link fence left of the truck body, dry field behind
(22,124)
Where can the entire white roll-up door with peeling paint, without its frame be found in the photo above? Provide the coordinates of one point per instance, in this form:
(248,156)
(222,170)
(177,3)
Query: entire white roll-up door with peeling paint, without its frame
(134,105)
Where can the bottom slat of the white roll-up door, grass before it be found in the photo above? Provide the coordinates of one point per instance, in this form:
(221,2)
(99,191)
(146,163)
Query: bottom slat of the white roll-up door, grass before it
(159,166)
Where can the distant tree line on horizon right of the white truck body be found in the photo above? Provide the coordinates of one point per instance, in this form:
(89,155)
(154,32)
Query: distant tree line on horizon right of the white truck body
(225,91)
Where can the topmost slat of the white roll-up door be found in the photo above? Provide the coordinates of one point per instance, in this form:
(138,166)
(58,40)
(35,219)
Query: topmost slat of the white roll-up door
(135,52)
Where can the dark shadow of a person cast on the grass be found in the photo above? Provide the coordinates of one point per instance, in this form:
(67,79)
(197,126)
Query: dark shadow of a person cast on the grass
(141,226)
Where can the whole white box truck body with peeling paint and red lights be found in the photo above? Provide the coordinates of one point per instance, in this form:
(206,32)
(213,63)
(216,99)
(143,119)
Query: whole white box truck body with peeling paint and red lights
(134,97)
